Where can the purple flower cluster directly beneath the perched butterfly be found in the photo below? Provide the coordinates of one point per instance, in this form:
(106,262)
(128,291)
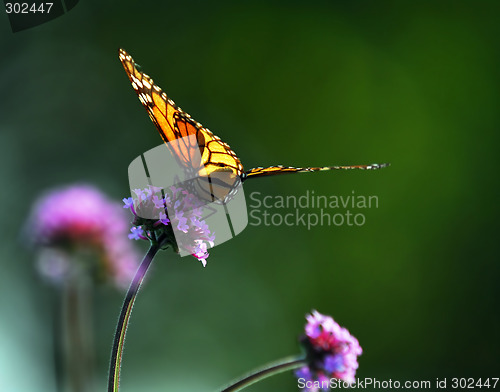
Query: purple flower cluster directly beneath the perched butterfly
(177,211)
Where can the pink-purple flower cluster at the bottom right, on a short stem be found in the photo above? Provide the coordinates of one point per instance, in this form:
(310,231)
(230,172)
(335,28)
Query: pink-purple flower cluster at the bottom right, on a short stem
(331,352)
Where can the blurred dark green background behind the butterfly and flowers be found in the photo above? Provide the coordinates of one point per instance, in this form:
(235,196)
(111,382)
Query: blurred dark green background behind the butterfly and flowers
(327,82)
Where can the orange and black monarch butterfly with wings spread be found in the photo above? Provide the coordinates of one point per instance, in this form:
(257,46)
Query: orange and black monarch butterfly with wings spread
(219,170)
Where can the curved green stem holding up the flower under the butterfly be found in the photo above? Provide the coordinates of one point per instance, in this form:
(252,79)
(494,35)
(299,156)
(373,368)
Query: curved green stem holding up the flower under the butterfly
(128,303)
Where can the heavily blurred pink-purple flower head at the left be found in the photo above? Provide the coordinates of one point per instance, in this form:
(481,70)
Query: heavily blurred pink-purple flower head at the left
(66,223)
